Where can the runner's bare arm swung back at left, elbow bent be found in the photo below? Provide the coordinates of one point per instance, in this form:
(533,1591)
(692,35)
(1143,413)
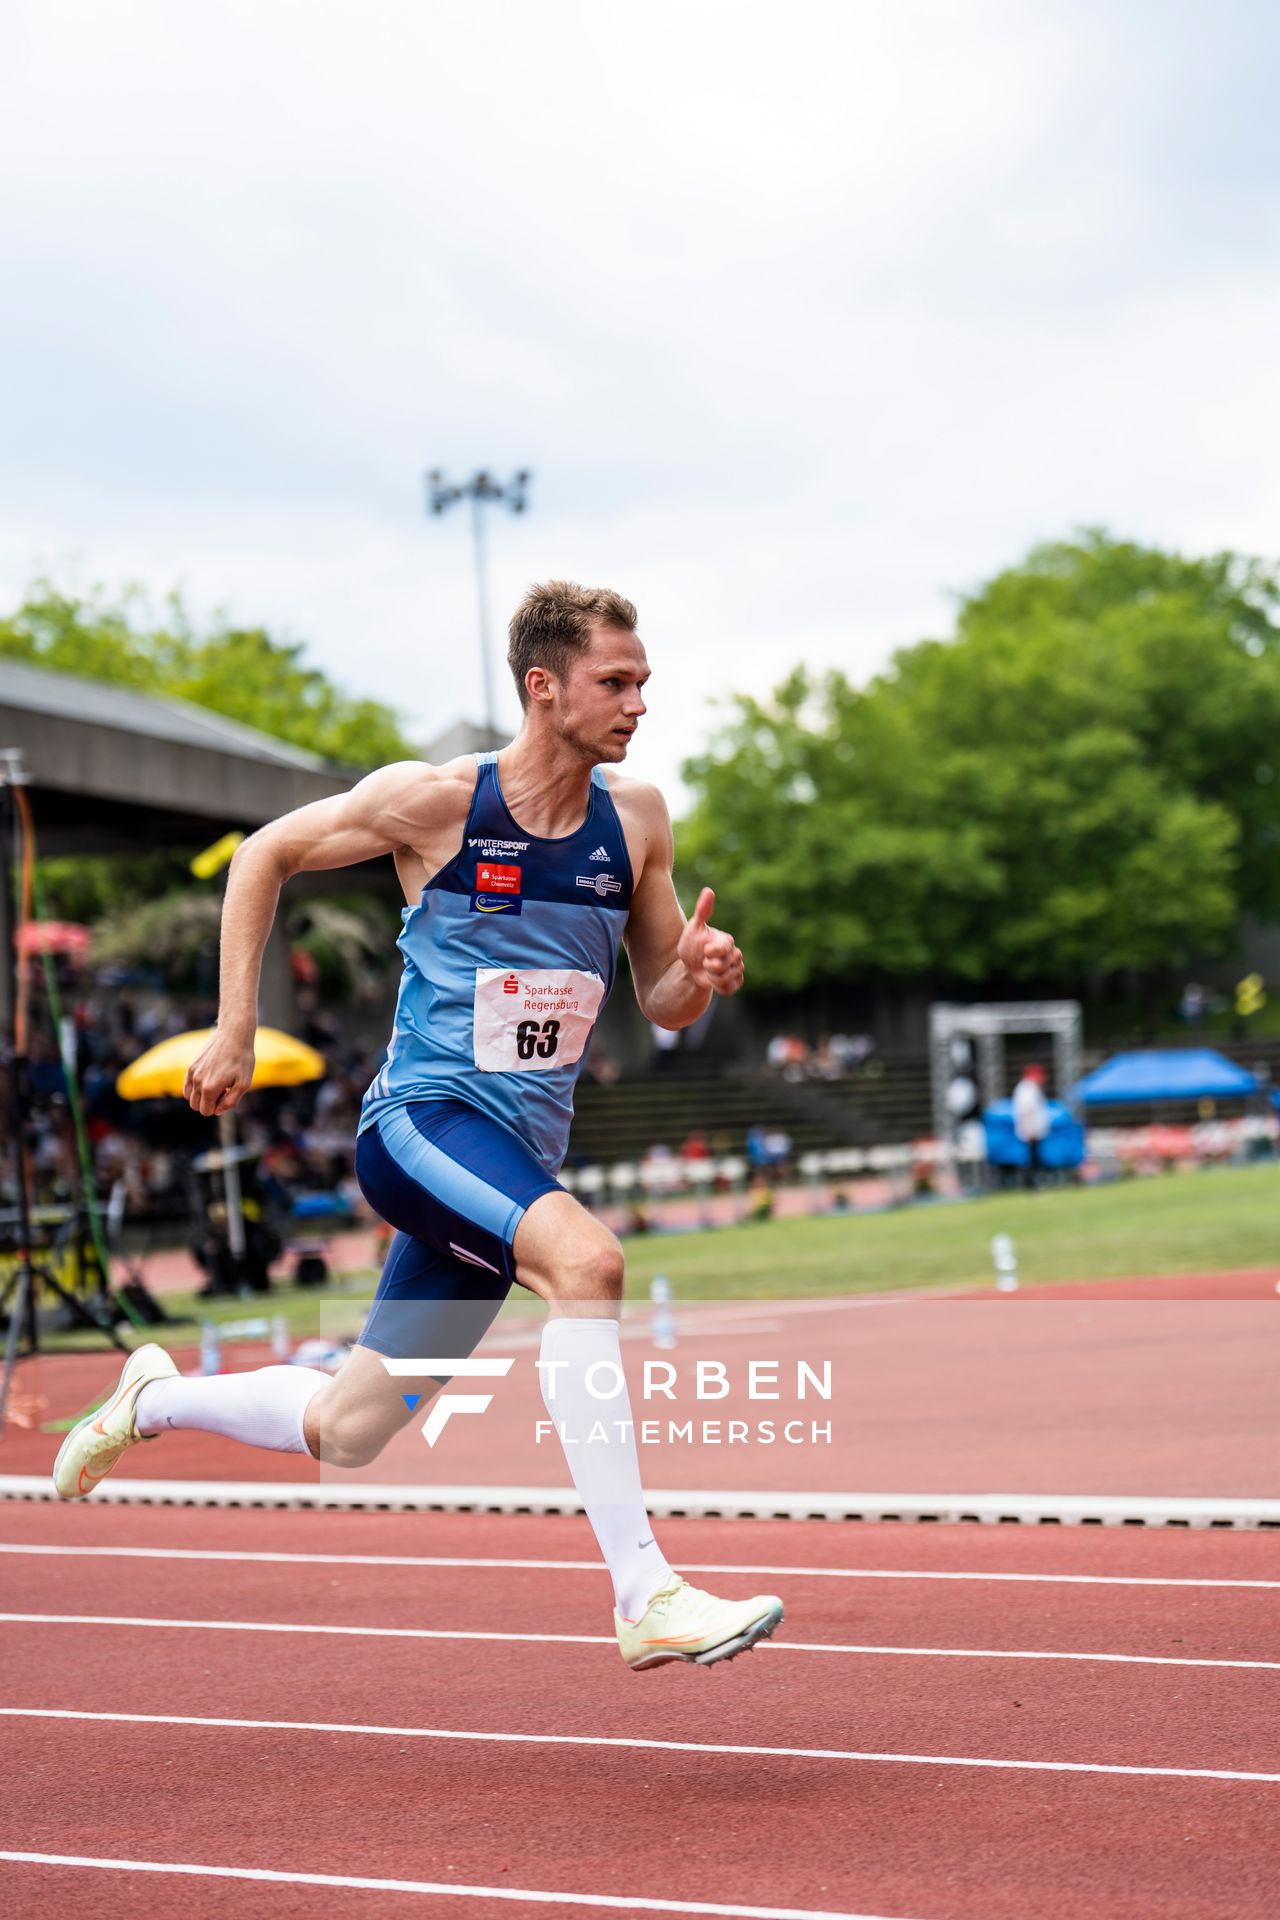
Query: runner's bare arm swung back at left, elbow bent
(379,815)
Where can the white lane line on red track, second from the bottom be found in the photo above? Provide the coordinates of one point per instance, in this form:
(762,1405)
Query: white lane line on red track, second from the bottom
(632,1744)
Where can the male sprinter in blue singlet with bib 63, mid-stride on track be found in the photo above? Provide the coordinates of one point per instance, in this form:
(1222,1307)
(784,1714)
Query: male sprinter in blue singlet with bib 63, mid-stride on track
(523,871)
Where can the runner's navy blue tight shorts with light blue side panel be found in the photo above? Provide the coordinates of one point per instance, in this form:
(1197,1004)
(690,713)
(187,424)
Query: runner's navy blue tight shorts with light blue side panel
(456,1186)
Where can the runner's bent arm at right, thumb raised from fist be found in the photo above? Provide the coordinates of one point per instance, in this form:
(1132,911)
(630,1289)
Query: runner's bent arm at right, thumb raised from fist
(676,963)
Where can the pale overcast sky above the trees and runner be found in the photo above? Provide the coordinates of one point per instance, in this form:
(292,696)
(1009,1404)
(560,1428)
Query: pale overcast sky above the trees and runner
(805,316)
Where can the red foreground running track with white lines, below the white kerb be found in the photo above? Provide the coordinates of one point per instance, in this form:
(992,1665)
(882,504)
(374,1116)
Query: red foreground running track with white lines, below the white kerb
(886,1833)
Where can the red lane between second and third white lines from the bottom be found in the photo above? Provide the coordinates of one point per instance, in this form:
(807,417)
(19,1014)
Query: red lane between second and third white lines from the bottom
(1022,1712)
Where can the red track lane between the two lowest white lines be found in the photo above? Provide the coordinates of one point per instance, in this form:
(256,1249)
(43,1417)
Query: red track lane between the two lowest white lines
(888,1840)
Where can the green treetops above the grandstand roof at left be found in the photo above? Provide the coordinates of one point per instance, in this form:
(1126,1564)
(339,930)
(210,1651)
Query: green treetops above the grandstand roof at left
(237,671)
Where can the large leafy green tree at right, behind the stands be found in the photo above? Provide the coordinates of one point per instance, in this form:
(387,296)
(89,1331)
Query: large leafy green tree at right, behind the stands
(1085,779)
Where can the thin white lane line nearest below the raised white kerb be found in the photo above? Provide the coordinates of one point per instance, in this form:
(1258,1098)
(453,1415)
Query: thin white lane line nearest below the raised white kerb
(753,1568)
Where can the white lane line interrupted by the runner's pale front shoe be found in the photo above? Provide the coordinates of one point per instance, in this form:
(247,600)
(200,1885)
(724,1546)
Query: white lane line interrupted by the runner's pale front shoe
(607,1641)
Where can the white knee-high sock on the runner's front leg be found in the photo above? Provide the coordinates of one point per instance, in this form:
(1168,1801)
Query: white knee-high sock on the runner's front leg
(605,1466)
